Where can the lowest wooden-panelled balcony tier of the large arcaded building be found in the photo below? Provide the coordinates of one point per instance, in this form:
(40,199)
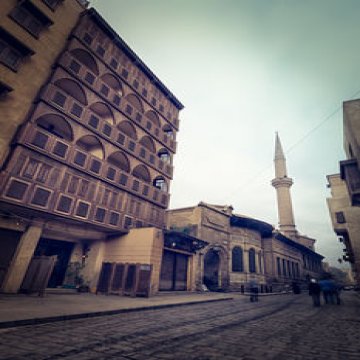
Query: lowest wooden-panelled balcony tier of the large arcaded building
(35,182)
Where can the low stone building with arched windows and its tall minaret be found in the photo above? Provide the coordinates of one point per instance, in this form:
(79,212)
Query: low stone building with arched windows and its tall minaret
(242,250)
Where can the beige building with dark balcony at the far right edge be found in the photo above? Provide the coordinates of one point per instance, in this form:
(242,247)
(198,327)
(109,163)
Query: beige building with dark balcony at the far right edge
(344,203)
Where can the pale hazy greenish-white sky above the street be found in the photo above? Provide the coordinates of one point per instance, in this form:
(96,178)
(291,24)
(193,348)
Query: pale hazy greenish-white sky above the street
(245,69)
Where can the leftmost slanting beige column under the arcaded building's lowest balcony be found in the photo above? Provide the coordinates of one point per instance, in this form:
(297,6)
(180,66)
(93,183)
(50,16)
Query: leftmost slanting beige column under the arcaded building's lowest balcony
(22,258)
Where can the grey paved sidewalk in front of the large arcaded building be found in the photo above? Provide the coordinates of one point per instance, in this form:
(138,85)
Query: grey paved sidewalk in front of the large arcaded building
(18,310)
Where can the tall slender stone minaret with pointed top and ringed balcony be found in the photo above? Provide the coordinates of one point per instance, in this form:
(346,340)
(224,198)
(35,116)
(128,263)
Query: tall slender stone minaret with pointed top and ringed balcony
(282,184)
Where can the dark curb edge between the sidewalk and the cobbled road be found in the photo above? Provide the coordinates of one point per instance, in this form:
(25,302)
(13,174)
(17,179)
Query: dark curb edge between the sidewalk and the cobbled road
(50,319)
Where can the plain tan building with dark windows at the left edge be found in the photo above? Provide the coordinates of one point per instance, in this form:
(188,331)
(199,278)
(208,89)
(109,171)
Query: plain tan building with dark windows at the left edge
(32,34)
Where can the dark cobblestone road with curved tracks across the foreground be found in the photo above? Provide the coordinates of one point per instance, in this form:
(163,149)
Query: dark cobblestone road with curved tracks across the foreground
(278,327)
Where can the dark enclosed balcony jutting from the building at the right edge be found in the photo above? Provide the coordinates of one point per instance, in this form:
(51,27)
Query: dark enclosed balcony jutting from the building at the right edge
(350,173)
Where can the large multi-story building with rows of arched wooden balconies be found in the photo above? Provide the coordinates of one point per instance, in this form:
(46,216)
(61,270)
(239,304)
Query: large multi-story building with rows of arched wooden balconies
(91,160)
